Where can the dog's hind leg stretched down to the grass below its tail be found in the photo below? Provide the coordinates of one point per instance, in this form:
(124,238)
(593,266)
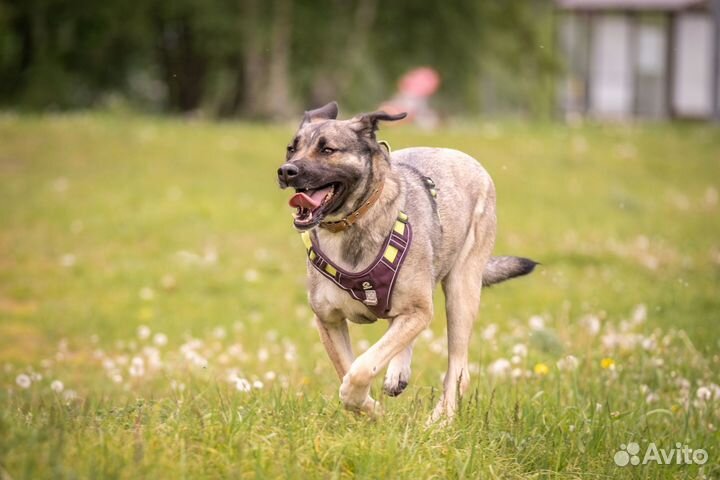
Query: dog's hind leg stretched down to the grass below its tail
(462,287)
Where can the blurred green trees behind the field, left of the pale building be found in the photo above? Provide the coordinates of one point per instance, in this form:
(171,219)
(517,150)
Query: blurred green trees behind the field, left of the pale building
(266,59)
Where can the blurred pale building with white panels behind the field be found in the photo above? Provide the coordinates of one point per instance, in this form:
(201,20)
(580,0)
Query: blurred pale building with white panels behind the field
(640,58)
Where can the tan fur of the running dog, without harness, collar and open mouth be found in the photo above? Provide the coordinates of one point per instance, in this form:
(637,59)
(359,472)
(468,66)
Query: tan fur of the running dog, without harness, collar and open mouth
(454,235)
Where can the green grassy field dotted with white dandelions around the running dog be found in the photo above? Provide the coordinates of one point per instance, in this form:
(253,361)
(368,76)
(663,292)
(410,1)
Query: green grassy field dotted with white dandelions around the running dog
(153,321)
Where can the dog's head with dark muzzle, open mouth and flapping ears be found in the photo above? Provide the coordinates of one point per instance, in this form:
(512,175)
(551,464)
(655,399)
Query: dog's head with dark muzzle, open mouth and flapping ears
(333,165)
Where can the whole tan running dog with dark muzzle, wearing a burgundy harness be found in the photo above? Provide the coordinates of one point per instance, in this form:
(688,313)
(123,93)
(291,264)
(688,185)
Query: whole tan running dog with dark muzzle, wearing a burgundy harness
(381,229)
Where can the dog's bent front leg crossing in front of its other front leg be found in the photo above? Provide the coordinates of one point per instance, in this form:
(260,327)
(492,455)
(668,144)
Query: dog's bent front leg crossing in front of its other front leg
(355,388)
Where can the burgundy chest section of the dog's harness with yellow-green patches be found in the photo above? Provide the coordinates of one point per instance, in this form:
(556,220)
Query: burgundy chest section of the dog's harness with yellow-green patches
(374,285)
